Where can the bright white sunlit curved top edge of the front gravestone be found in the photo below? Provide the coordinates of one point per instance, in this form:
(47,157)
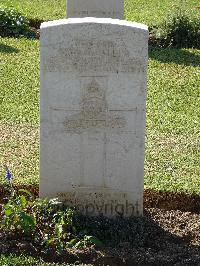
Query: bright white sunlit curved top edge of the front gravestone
(94,20)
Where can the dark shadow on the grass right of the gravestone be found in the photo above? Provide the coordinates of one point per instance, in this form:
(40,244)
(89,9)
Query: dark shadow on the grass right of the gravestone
(173,55)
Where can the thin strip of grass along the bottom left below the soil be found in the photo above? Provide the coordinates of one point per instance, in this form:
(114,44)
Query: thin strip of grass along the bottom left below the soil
(14,260)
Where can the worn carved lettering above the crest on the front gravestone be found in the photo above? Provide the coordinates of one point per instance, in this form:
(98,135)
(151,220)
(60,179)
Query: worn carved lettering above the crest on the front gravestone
(93,55)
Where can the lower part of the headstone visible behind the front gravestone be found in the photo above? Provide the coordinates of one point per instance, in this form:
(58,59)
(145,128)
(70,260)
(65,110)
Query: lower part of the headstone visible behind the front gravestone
(95,8)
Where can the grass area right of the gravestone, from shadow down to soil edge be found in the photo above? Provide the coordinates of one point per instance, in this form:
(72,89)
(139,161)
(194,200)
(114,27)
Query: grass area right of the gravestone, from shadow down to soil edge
(172,146)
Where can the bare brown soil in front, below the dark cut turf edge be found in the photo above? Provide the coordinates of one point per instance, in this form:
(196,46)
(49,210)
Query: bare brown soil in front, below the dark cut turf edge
(168,238)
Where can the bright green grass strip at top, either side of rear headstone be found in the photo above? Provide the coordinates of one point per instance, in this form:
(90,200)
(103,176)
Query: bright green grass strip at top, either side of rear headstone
(148,12)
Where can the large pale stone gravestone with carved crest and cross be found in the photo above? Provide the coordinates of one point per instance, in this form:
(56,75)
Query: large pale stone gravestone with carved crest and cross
(92,106)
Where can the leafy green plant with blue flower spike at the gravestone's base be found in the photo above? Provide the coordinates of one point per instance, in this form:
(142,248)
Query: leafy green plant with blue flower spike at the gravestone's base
(45,222)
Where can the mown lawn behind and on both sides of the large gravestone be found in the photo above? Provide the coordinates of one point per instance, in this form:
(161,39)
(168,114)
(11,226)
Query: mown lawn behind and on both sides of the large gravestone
(172,147)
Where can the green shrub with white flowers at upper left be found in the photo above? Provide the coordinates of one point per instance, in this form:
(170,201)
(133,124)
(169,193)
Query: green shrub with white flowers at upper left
(13,24)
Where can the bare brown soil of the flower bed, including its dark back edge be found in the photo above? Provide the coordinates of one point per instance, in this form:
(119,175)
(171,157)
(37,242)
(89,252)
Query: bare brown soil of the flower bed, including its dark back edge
(168,234)
